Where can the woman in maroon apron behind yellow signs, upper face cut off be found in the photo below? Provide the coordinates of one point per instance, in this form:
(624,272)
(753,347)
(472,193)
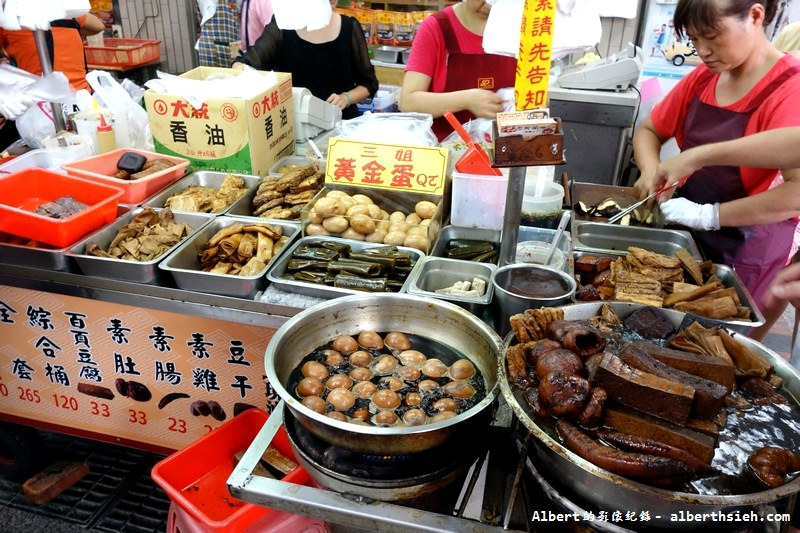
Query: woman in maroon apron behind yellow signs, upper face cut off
(448,69)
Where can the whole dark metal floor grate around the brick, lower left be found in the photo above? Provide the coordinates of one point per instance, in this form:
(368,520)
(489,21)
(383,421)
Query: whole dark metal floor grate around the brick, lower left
(113,472)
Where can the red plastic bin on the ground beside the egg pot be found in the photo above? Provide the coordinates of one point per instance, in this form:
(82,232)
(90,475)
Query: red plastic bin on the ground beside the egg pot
(195,477)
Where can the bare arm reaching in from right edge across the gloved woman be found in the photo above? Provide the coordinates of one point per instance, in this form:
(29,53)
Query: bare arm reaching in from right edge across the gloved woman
(769,149)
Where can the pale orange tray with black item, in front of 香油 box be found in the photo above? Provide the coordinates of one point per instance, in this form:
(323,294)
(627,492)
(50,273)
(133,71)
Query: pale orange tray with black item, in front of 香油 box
(101,169)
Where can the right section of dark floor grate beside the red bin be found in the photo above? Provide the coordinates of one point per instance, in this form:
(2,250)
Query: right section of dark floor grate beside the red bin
(142,508)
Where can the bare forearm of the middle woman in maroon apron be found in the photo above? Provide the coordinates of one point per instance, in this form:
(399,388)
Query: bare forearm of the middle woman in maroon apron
(416,97)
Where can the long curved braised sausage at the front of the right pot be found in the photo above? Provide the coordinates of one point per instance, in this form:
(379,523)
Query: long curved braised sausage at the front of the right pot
(628,464)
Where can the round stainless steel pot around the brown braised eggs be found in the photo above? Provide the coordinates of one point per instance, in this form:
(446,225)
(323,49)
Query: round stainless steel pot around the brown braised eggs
(434,319)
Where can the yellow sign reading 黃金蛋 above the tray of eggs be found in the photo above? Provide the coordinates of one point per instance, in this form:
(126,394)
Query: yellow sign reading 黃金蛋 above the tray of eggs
(386,166)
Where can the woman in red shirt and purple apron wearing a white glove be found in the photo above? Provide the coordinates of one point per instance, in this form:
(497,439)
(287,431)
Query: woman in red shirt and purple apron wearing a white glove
(745,85)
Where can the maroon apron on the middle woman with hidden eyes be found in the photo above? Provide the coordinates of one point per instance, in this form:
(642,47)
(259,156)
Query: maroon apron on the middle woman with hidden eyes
(470,71)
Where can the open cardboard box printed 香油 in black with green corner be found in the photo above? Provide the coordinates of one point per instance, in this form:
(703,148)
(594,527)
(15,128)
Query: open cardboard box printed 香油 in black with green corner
(227,134)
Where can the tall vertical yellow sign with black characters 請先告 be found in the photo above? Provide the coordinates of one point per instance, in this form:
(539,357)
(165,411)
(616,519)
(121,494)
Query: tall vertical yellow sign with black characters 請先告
(535,53)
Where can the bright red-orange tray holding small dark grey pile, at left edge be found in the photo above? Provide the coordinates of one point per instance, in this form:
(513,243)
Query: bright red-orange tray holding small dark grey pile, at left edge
(22,192)
